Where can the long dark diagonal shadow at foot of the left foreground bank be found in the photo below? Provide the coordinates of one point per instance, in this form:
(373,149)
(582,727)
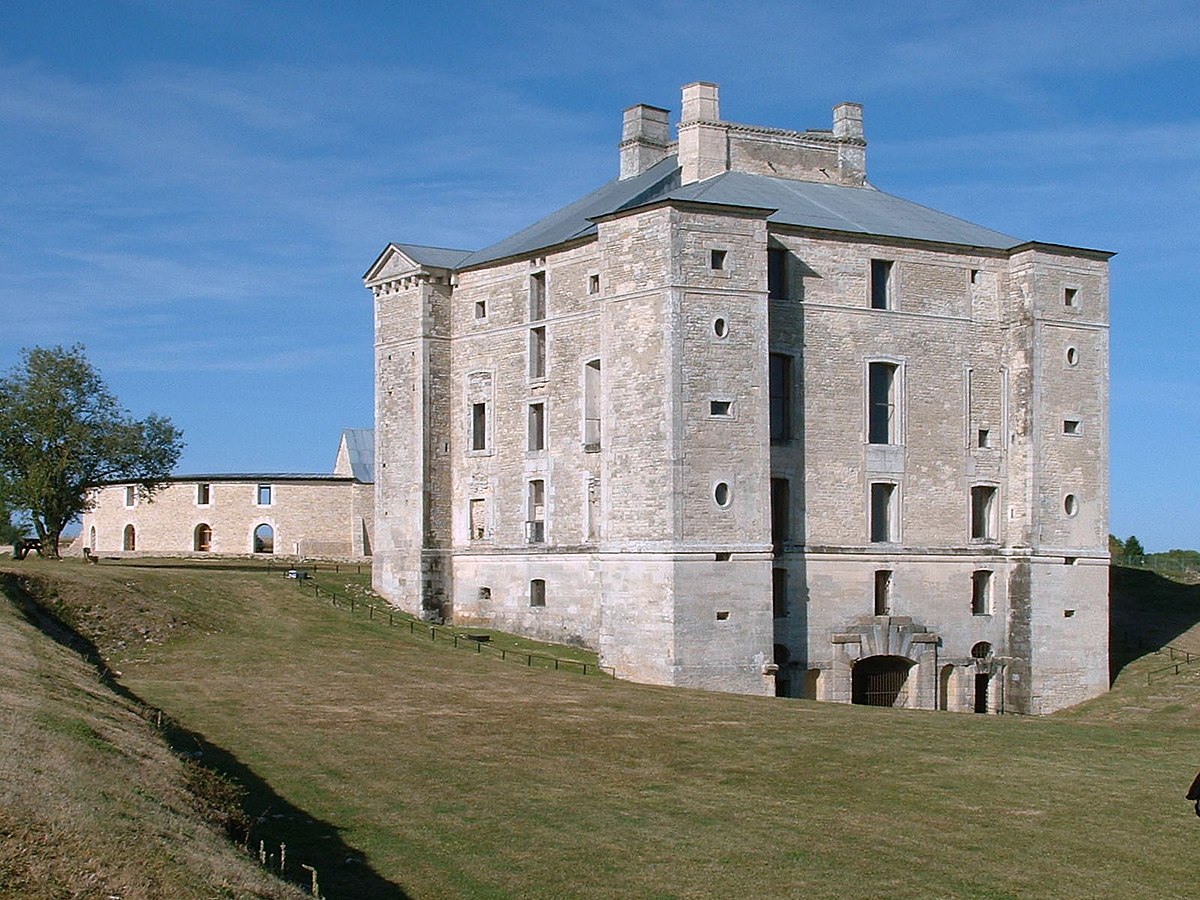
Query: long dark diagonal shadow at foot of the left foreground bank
(273,820)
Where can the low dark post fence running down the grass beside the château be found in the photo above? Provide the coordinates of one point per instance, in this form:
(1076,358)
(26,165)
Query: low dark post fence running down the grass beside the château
(479,644)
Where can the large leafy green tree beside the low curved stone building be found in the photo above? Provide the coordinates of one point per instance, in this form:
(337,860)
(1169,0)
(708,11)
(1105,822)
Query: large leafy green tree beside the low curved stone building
(63,434)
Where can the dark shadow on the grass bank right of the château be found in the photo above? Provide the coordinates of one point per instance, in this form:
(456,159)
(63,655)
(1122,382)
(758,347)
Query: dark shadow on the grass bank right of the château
(1147,614)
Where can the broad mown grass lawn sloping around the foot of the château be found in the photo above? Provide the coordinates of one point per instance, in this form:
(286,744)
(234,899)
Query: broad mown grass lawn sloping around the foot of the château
(399,765)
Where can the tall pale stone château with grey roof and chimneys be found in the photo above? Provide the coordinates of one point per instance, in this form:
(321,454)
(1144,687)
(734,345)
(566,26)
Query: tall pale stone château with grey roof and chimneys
(742,422)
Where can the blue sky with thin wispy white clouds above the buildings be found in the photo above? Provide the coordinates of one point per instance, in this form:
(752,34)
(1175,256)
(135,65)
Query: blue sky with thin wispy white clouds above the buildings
(195,189)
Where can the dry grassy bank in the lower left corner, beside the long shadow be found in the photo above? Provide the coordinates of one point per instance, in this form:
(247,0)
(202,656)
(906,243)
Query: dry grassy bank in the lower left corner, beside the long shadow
(92,801)
